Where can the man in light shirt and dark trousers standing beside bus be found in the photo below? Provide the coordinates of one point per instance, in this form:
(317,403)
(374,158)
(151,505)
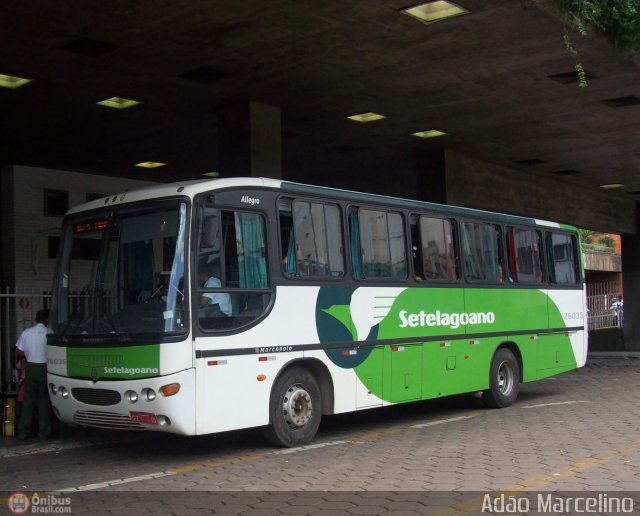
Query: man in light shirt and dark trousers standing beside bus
(32,349)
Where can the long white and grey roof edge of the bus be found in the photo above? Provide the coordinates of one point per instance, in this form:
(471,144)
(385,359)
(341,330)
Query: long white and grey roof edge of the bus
(192,188)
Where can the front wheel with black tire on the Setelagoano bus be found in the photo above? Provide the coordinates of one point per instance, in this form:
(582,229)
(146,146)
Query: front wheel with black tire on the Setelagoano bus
(295,409)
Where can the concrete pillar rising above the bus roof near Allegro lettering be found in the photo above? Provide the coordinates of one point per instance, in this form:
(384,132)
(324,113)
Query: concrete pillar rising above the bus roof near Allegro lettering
(250,141)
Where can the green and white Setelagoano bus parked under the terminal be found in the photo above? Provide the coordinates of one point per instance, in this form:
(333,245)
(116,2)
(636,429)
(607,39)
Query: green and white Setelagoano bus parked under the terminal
(215,305)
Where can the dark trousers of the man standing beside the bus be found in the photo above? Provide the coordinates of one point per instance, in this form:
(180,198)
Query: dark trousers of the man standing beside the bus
(35,396)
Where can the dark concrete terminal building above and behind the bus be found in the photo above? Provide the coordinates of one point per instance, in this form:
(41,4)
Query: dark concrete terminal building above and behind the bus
(479,105)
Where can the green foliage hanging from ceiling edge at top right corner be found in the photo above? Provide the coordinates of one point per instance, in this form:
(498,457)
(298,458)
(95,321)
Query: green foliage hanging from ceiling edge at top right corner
(617,20)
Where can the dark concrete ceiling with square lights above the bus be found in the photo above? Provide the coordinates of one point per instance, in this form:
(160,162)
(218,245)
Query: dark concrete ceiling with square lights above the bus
(485,78)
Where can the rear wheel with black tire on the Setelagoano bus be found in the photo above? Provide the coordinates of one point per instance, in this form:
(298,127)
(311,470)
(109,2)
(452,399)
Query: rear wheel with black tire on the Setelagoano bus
(504,380)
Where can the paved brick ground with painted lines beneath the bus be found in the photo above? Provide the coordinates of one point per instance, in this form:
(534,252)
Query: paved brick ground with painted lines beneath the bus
(575,434)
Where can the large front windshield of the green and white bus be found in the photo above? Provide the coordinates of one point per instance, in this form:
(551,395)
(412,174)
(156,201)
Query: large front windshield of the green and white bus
(122,273)
